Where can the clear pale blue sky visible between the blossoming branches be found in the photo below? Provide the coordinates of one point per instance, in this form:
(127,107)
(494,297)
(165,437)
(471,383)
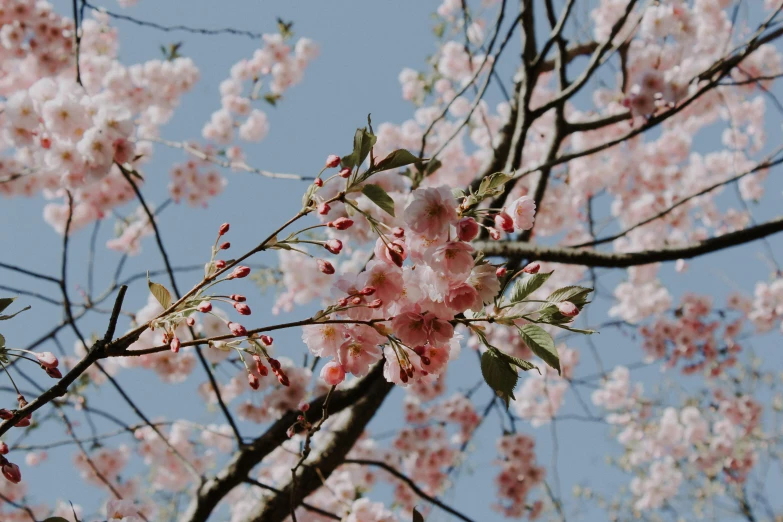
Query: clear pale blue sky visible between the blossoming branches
(364,45)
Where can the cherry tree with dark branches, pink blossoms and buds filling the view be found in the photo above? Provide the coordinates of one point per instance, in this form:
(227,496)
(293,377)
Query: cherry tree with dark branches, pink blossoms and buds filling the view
(629,136)
